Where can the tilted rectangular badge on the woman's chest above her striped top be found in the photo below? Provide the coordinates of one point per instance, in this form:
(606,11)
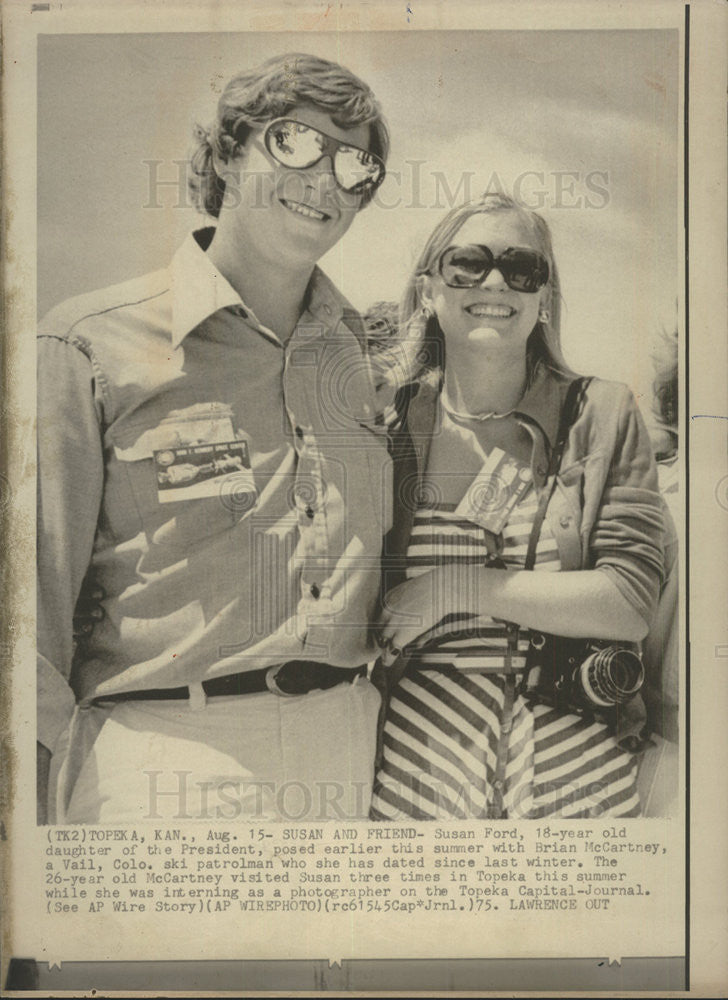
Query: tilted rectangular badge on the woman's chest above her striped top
(501,484)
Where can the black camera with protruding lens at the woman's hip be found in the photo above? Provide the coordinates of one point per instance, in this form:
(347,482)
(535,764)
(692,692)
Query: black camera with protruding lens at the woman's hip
(586,676)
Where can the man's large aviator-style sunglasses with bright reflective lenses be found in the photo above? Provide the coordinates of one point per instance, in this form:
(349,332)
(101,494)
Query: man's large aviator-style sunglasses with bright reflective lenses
(300,146)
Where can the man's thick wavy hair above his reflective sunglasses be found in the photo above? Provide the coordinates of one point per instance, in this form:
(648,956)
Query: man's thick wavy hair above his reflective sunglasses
(253,98)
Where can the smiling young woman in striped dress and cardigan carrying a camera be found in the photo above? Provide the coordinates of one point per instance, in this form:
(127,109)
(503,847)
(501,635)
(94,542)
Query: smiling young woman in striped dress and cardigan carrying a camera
(488,714)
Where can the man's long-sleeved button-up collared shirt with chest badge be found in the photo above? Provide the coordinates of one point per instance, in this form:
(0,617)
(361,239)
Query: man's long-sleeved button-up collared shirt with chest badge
(228,491)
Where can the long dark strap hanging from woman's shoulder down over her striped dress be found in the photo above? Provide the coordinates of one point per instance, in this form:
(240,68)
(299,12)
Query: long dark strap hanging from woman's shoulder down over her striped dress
(569,412)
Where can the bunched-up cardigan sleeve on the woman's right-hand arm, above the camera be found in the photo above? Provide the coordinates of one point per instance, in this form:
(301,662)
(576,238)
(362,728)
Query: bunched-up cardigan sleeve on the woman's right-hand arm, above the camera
(627,539)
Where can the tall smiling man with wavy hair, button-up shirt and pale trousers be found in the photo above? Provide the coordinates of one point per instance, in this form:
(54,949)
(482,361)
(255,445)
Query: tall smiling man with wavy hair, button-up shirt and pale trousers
(210,456)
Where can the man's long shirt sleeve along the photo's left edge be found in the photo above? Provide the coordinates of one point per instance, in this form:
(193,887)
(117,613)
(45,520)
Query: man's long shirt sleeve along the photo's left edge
(70,484)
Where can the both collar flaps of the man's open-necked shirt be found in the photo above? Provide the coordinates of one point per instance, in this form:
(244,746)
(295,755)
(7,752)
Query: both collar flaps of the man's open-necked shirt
(199,290)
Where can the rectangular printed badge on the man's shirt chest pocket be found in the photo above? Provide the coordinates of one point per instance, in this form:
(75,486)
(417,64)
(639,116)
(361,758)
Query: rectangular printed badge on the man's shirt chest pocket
(206,470)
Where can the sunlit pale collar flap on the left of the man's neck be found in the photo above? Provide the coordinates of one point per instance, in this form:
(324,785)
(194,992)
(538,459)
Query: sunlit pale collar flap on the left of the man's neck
(198,289)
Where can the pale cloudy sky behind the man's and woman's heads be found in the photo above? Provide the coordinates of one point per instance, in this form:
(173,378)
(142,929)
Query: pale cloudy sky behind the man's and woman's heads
(583,123)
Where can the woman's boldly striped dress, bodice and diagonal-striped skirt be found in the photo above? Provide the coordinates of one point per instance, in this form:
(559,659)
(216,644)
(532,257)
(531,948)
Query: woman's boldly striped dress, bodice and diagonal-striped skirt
(444,720)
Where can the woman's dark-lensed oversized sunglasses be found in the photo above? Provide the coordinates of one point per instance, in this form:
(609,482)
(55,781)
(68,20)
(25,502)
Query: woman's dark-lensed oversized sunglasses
(523,270)
